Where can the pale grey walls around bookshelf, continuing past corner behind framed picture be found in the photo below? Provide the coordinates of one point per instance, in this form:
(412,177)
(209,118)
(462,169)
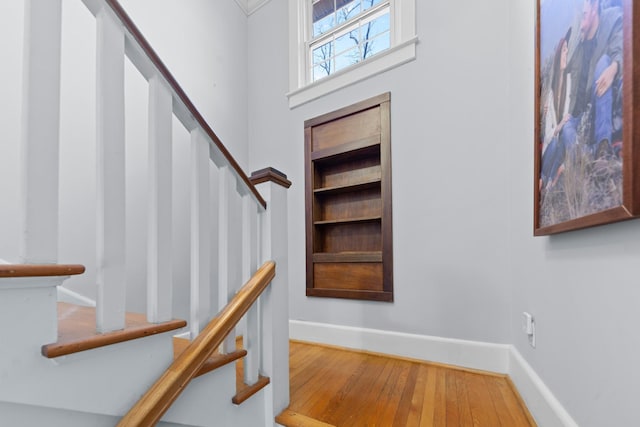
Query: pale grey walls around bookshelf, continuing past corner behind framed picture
(466,264)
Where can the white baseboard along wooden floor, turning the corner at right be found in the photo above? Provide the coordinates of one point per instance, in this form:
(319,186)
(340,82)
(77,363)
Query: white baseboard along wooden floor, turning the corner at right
(499,358)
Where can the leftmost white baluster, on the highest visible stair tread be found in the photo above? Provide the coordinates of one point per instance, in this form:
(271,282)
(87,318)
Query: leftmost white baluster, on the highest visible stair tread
(40,131)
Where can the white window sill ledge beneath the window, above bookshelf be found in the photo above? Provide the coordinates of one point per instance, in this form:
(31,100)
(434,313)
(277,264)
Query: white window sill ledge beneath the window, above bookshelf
(382,62)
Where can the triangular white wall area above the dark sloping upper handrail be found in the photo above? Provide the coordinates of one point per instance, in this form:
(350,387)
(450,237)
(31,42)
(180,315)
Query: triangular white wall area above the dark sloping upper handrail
(203,43)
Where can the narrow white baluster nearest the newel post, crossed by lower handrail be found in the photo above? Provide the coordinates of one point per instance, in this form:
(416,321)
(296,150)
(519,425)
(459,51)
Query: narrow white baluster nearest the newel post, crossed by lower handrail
(249,266)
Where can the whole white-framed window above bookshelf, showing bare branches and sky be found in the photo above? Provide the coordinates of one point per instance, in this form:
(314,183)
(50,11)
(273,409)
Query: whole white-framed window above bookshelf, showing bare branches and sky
(335,43)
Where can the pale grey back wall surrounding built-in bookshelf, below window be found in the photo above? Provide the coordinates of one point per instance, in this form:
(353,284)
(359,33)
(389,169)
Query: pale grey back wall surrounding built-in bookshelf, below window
(449,168)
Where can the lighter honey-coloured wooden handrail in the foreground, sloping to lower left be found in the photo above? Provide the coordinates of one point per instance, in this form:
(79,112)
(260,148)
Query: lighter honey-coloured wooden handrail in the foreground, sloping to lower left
(157,400)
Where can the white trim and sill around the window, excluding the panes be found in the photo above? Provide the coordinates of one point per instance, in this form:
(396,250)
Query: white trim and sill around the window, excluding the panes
(402,50)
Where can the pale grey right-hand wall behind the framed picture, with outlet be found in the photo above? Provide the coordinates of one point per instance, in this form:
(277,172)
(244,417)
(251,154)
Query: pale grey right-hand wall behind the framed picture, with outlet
(581,286)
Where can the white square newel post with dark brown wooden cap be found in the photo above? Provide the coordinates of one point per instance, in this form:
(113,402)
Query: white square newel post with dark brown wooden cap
(274,308)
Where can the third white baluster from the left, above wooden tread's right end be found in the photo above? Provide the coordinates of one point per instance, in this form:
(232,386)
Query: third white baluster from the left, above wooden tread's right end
(159,259)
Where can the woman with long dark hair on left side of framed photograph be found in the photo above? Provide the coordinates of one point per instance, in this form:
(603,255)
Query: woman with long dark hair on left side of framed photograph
(556,114)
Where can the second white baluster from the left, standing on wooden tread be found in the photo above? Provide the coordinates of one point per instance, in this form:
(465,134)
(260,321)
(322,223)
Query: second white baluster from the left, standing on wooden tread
(110,310)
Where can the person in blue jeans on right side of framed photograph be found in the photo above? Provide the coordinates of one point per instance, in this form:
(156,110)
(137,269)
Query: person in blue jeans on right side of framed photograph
(596,68)
